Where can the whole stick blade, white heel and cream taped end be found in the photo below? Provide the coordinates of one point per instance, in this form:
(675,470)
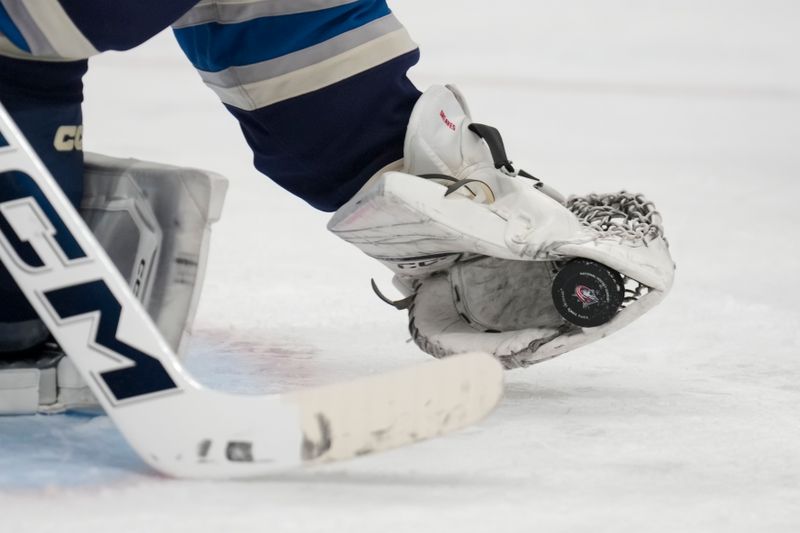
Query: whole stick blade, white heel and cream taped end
(205,434)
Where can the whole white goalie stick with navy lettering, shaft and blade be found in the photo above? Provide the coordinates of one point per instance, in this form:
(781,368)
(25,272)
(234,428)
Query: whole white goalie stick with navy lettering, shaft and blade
(178,427)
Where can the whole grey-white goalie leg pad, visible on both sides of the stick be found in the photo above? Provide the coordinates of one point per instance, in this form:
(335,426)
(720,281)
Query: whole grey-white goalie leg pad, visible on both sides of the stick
(154,221)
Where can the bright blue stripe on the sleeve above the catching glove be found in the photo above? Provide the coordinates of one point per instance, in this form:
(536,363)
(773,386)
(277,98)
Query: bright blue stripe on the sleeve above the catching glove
(214,47)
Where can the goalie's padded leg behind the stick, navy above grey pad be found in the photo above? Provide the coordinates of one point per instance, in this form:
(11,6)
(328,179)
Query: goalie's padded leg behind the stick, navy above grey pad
(153,220)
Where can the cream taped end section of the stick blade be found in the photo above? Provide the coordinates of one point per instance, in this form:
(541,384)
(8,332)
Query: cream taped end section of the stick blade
(378,413)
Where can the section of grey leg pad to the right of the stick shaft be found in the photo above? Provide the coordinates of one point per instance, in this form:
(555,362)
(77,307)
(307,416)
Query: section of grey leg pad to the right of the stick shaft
(154,221)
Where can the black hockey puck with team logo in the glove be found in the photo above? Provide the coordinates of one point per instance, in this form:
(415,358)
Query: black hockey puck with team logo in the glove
(587,293)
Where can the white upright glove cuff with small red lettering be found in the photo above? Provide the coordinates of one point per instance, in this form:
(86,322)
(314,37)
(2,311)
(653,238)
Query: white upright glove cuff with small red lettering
(439,140)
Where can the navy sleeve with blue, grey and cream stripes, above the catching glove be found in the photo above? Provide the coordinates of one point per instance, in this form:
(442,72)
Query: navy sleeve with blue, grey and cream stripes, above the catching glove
(319,87)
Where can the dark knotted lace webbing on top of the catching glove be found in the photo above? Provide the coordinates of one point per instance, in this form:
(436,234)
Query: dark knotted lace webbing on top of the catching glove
(622,215)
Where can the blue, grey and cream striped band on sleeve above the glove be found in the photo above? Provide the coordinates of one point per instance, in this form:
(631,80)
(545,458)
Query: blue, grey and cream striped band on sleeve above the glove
(257,53)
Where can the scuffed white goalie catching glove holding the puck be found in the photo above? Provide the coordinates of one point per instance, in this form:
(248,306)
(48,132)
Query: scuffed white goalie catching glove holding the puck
(489,257)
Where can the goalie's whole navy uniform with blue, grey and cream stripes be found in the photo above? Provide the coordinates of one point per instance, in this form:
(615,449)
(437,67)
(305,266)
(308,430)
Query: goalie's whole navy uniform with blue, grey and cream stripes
(319,87)
